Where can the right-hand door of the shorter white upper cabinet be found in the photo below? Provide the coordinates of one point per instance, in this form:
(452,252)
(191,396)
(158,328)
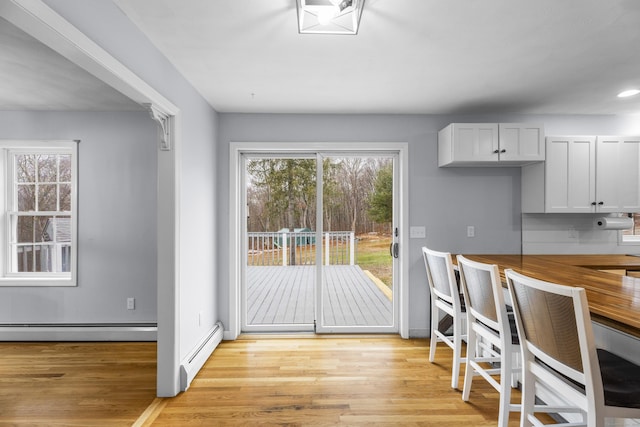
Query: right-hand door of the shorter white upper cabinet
(521,142)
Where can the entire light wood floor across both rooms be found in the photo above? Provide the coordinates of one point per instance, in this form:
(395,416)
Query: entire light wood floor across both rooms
(269,381)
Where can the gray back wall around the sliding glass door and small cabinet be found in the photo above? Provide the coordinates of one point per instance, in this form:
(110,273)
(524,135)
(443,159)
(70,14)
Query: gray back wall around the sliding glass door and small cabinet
(445,200)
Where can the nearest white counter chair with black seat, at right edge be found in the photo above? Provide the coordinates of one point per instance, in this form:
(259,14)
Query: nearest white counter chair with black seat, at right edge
(560,356)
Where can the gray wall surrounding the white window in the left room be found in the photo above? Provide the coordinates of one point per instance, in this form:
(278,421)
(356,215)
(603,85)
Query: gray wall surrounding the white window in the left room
(116,222)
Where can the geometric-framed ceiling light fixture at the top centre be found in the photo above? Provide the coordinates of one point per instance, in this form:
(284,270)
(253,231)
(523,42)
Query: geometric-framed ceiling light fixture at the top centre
(329,16)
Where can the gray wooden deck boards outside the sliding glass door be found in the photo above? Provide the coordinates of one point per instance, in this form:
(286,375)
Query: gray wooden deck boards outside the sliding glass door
(285,295)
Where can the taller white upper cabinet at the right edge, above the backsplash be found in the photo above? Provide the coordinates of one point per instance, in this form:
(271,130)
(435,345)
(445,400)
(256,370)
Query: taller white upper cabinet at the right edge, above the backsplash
(584,175)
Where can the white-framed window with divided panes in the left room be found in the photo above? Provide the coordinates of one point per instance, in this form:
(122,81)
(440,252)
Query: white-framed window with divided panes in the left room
(39,223)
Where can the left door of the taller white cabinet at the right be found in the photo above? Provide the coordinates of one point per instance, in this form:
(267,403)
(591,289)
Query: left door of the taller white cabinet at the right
(570,174)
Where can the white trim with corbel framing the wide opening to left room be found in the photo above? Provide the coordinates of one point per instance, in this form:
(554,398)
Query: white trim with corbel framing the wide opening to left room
(43,23)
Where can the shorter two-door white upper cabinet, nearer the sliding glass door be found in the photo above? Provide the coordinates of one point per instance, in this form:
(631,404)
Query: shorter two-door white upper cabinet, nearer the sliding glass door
(490,144)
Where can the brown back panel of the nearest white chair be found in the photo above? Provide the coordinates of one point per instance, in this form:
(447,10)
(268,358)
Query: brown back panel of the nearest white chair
(549,323)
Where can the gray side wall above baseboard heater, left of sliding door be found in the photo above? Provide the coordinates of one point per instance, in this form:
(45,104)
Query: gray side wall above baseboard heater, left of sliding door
(104,23)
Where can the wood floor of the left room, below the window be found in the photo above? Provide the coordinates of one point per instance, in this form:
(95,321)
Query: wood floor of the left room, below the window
(76,384)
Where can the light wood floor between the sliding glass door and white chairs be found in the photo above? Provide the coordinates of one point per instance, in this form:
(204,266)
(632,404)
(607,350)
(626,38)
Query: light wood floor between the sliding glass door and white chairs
(329,381)
